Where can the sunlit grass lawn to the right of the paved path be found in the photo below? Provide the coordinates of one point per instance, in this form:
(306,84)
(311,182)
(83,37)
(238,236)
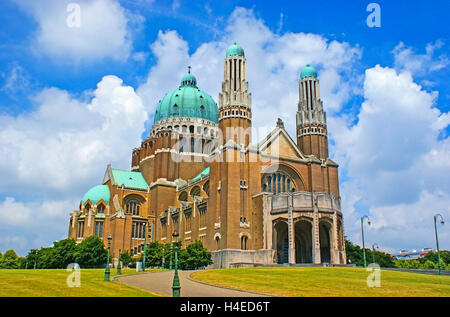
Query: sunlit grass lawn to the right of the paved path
(320,281)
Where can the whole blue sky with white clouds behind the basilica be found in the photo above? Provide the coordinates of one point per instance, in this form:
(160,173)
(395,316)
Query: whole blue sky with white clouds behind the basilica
(78,92)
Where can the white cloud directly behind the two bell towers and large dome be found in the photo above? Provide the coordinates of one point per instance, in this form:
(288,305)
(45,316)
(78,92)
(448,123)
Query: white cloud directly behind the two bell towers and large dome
(274,63)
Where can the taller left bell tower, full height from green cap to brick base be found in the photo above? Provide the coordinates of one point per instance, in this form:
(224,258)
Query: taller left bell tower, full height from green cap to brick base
(230,167)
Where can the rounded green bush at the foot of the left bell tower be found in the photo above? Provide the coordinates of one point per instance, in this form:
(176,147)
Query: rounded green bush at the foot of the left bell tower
(194,256)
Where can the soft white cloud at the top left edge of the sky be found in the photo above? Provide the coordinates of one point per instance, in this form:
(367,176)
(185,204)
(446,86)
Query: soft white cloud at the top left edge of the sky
(102,32)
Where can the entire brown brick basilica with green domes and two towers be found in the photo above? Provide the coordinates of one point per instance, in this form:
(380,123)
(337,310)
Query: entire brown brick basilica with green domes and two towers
(197,174)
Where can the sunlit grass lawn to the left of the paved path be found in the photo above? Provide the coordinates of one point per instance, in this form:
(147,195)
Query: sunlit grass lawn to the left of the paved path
(52,283)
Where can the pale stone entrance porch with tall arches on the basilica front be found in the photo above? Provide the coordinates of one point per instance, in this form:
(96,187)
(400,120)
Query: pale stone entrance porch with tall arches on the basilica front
(304,227)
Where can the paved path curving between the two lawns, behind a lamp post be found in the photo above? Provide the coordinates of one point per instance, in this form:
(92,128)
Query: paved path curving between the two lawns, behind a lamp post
(161,283)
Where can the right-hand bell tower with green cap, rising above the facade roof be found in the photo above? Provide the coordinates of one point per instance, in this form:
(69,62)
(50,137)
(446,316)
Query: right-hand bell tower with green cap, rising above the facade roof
(311,119)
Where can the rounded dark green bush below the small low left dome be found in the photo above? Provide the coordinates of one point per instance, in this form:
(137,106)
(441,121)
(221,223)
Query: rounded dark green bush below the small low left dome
(91,253)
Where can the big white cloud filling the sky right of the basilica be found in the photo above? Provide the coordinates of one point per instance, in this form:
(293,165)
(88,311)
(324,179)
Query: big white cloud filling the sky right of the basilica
(397,167)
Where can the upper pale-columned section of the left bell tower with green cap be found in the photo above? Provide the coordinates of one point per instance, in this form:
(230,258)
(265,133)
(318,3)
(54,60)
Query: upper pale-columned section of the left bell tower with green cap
(235,114)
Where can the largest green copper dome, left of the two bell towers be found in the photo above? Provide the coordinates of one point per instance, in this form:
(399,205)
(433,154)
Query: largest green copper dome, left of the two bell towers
(187,101)
